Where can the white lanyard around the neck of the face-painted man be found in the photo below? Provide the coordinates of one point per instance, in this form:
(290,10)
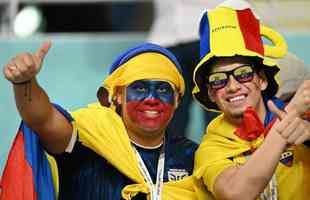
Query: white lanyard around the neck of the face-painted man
(156,188)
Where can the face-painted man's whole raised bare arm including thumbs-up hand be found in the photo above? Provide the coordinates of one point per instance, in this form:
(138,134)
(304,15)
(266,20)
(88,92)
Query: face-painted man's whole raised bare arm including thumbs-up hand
(33,103)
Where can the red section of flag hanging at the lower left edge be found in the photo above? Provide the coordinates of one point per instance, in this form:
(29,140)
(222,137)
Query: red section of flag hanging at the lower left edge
(17,180)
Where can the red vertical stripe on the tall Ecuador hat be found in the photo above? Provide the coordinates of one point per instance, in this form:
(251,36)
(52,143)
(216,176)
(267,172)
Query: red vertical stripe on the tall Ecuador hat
(249,26)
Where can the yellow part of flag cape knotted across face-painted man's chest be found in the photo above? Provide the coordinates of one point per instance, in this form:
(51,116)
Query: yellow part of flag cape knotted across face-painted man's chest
(102,130)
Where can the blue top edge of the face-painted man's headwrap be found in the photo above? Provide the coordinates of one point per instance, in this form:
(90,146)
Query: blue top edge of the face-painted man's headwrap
(143,48)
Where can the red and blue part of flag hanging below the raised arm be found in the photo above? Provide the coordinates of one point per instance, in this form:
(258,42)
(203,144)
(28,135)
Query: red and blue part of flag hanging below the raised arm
(27,174)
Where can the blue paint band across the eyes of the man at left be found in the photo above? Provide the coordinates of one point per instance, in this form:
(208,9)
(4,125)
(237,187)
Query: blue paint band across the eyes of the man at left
(150,89)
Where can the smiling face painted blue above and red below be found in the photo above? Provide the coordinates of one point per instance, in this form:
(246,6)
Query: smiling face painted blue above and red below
(150,103)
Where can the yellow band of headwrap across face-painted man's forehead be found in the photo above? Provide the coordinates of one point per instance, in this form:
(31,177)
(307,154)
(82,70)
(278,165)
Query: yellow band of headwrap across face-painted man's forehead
(145,66)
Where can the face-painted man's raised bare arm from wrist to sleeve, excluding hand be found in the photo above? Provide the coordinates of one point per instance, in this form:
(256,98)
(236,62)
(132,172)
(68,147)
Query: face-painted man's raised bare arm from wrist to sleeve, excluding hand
(40,115)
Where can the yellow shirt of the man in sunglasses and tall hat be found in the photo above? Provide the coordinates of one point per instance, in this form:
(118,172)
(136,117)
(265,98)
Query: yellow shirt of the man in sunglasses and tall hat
(221,148)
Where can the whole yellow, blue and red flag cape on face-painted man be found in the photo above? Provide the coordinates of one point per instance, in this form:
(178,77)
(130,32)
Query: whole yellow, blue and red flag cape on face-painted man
(28,174)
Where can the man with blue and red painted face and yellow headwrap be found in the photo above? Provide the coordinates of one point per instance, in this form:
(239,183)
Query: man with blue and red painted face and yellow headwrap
(115,149)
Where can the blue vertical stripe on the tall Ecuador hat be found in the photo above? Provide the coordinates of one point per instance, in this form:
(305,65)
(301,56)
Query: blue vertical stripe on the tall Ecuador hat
(204,31)
